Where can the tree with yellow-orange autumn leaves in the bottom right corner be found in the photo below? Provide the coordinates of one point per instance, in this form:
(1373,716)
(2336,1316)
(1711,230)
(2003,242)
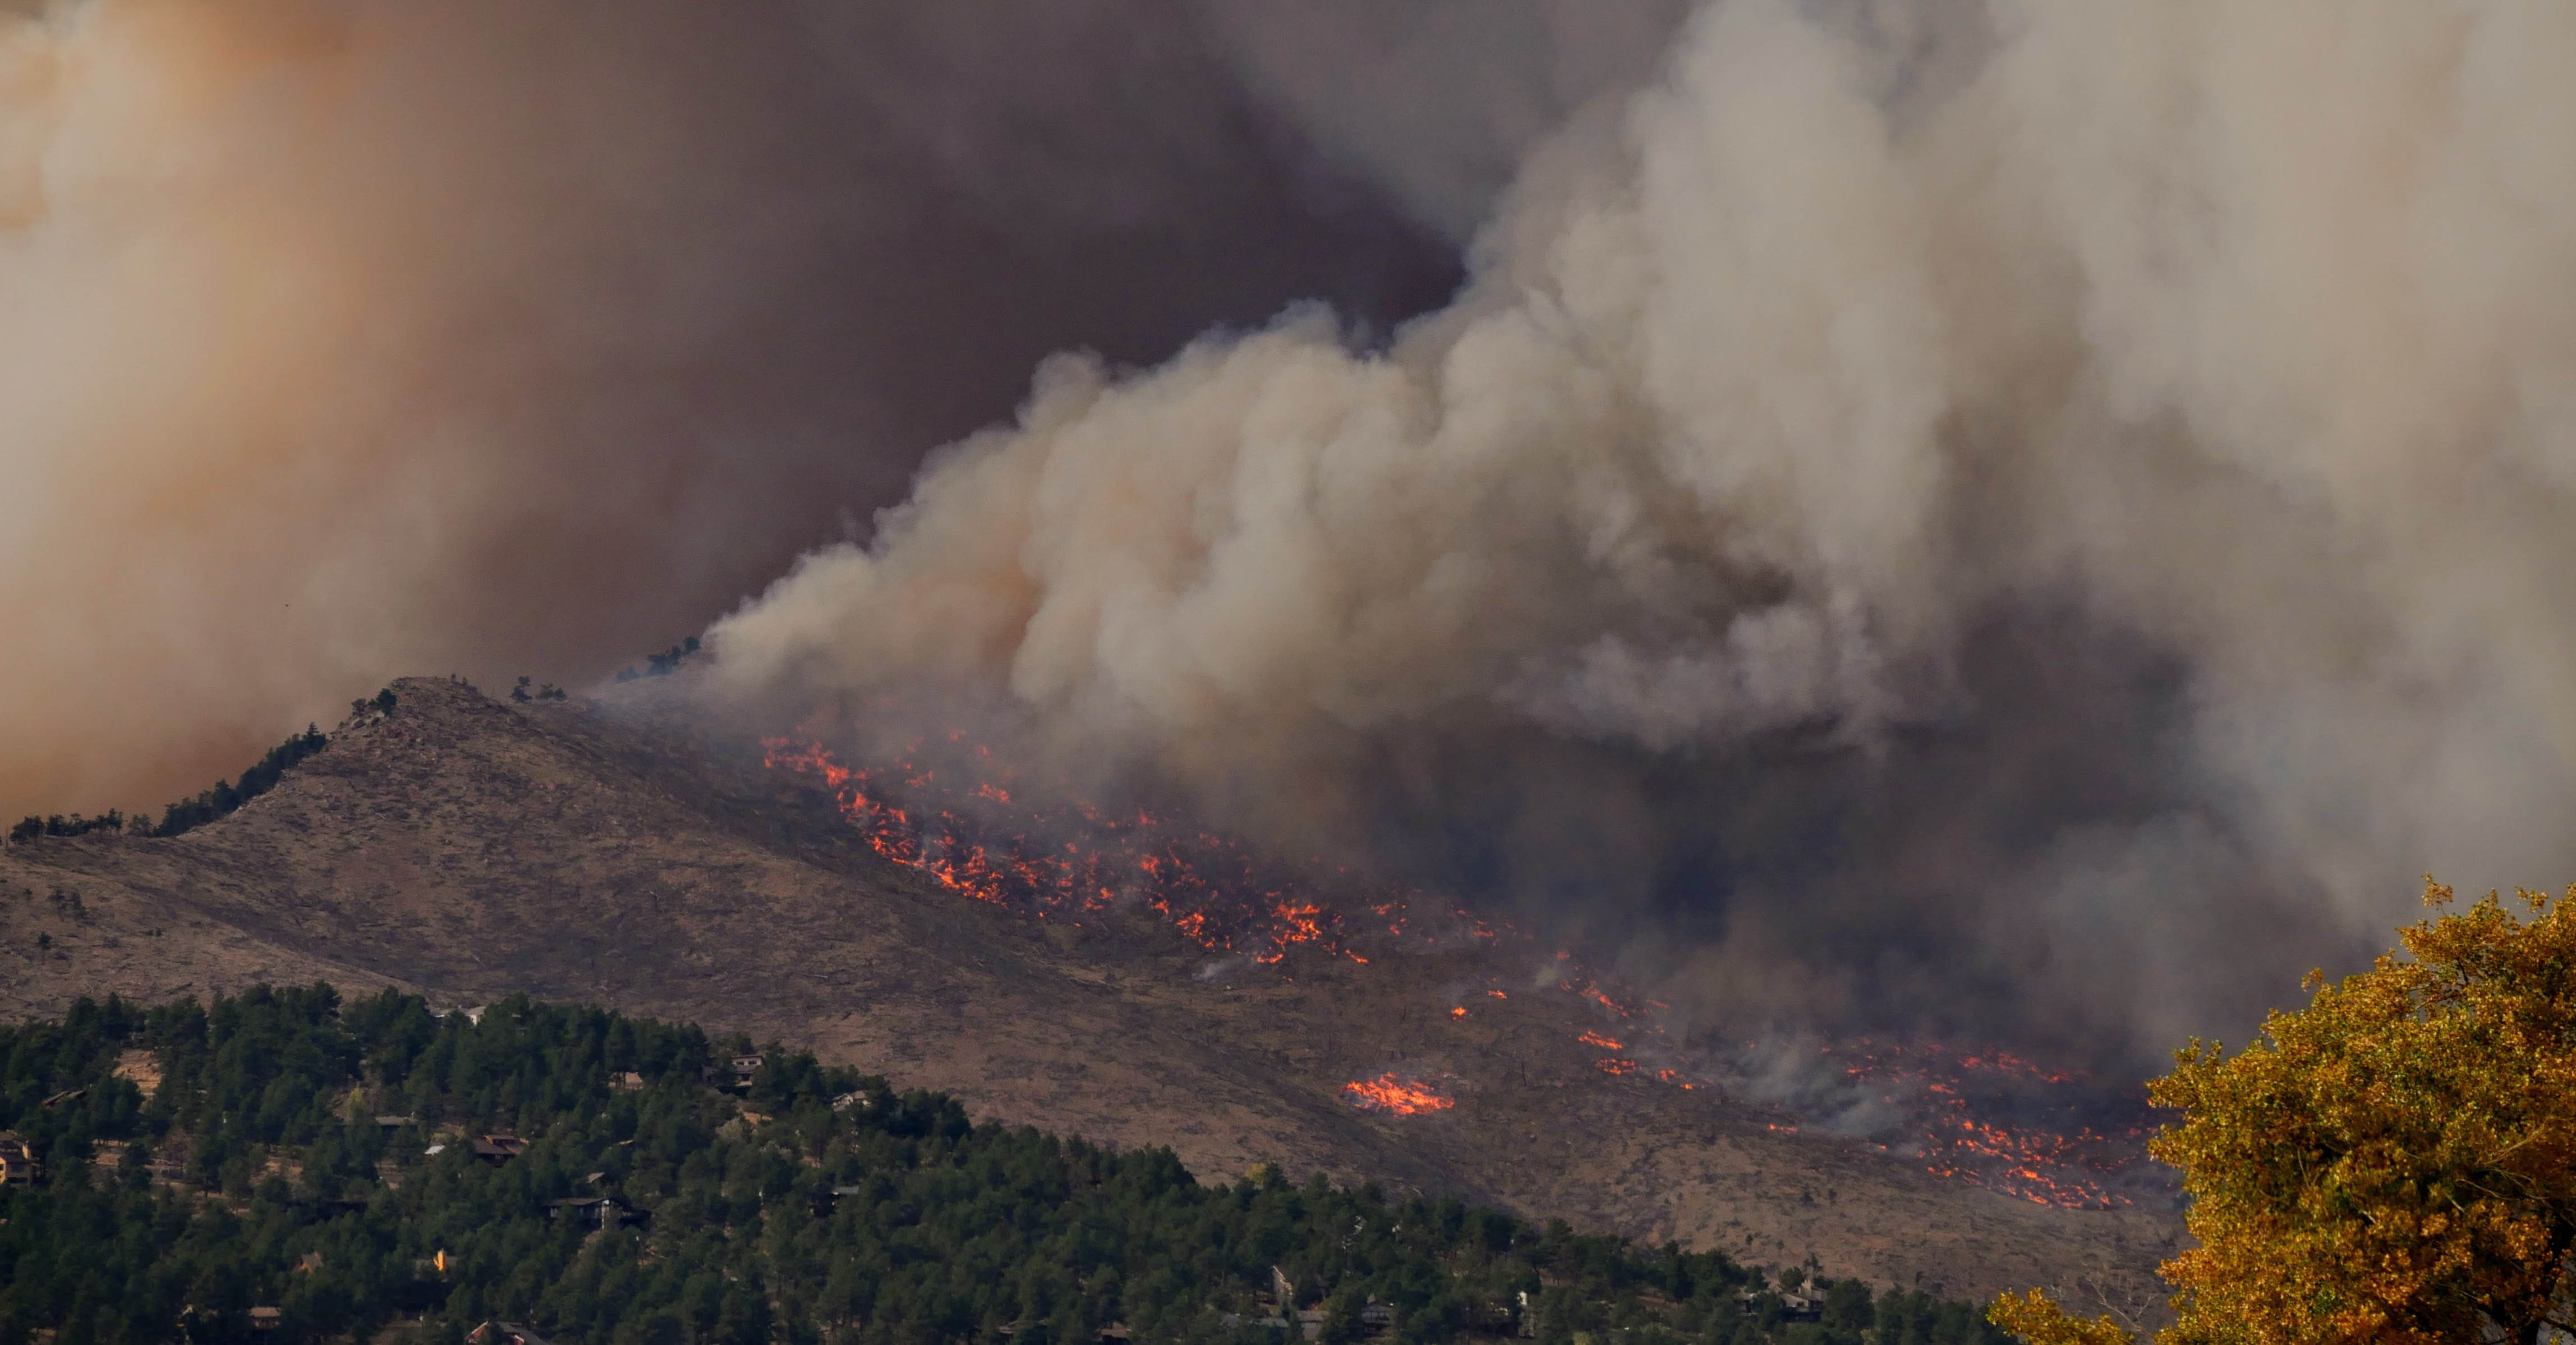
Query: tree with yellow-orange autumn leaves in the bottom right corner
(2394,1163)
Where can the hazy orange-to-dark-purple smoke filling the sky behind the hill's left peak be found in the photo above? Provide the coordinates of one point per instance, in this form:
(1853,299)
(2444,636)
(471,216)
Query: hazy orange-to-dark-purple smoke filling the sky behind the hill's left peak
(359,339)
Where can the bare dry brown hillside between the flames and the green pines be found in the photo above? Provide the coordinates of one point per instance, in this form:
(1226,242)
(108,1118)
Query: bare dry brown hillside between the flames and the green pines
(470,849)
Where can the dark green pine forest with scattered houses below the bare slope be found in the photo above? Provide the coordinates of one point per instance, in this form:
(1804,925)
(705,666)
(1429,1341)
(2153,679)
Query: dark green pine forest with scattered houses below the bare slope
(808,1207)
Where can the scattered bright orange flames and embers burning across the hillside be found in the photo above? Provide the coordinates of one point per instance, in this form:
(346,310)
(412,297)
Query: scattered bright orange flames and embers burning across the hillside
(965,821)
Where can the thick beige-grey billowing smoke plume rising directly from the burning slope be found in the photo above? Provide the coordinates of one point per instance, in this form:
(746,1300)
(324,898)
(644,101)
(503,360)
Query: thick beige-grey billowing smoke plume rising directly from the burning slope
(2039,509)
